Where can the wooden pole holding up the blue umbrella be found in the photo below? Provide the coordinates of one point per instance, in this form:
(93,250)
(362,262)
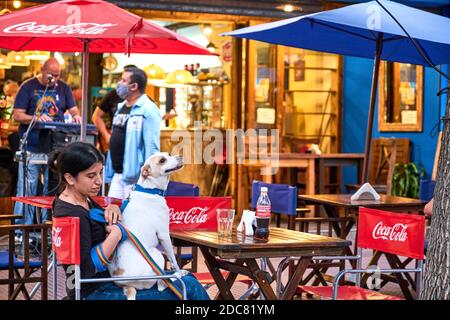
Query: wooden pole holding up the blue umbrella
(373,95)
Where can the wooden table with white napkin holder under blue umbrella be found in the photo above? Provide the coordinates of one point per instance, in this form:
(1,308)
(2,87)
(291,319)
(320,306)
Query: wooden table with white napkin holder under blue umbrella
(332,203)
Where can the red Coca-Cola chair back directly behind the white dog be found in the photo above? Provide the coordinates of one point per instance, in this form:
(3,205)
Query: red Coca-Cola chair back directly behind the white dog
(195,212)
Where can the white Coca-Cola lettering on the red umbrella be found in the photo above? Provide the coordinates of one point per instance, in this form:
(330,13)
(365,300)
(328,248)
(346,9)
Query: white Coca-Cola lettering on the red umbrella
(76,28)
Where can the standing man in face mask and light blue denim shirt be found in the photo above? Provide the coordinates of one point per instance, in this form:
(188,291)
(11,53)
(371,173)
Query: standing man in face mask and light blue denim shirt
(135,133)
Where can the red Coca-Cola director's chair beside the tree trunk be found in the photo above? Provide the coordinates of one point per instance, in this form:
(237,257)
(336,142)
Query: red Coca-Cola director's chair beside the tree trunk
(395,234)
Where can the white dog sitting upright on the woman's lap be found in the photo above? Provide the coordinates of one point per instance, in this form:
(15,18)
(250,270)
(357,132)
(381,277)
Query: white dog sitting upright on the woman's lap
(147,217)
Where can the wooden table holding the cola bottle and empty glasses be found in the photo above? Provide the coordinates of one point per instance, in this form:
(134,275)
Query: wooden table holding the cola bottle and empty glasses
(246,251)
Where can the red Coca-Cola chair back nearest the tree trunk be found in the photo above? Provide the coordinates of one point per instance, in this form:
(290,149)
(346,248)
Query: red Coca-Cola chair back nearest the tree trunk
(396,233)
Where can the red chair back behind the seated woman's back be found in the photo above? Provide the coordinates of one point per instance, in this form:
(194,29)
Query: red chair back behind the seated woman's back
(66,239)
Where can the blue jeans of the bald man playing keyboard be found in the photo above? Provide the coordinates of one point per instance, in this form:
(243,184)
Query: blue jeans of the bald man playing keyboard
(34,172)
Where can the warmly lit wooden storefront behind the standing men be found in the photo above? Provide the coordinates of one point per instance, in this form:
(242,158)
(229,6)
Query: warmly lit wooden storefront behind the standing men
(249,85)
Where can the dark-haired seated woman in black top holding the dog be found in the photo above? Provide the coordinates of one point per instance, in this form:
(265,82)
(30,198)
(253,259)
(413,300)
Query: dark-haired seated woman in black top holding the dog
(79,166)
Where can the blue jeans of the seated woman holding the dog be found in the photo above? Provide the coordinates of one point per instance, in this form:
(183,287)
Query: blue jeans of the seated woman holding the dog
(109,291)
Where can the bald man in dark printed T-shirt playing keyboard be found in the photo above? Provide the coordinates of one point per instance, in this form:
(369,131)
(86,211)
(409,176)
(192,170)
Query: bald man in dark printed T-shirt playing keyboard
(51,107)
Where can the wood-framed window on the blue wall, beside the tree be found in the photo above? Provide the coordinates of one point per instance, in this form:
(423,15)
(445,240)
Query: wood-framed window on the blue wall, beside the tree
(400,97)
